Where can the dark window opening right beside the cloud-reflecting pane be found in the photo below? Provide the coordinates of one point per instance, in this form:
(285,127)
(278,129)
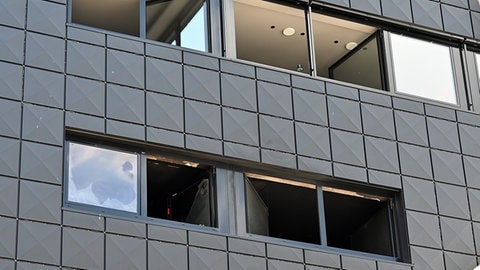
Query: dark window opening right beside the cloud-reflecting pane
(180,192)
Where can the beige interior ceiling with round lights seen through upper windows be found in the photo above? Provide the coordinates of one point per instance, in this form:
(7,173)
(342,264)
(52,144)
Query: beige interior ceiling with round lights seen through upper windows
(257,41)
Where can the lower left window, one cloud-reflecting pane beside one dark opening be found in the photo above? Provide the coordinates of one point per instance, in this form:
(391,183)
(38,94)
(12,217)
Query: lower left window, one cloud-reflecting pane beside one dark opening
(176,190)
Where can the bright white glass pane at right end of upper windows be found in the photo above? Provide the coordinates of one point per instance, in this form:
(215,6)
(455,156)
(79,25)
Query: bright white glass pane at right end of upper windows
(422,69)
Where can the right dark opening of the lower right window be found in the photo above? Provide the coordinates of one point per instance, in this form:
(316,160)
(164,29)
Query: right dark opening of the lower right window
(357,223)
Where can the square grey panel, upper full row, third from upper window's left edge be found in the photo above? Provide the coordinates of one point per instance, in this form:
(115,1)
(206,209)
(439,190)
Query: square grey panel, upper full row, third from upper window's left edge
(164,76)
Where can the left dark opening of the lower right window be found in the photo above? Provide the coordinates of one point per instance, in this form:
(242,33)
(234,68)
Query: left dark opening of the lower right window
(292,211)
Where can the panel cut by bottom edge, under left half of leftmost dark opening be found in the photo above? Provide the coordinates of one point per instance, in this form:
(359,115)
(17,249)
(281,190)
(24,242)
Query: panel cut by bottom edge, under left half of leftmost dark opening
(168,256)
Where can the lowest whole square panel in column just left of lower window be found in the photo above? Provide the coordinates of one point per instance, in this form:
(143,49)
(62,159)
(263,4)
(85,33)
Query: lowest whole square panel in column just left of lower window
(39,242)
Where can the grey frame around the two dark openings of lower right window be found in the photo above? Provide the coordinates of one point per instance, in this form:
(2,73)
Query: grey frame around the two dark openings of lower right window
(396,215)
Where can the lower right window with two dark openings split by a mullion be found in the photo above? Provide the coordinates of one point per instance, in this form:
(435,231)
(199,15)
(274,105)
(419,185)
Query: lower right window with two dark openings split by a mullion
(329,216)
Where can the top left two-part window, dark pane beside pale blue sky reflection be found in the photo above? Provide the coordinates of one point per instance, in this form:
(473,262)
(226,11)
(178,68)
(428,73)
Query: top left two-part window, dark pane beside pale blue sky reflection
(178,22)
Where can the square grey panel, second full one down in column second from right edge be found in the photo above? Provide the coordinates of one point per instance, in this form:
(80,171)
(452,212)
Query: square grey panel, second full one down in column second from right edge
(448,167)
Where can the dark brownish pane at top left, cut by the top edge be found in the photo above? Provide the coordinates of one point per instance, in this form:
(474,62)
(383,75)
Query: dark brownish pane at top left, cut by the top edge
(113,15)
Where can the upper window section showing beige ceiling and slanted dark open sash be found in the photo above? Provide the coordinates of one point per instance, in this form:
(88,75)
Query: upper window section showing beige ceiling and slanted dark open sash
(337,55)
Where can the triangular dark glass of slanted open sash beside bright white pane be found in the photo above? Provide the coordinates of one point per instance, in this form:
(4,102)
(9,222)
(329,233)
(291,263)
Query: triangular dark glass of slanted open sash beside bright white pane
(361,66)
